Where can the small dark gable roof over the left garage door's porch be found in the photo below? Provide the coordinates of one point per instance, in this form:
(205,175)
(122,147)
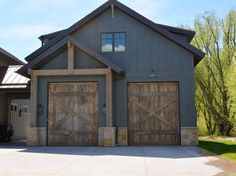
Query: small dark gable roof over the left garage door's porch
(41,59)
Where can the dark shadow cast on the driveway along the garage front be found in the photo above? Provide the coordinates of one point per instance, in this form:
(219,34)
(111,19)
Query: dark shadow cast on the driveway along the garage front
(173,152)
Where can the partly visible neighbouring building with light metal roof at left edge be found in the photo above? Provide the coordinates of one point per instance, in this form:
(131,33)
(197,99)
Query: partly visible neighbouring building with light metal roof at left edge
(14,97)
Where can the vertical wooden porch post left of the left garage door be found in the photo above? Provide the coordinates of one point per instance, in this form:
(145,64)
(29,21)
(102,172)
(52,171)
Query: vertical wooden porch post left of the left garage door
(33,98)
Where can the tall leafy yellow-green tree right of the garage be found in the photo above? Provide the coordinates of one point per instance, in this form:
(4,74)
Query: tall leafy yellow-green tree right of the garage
(217,38)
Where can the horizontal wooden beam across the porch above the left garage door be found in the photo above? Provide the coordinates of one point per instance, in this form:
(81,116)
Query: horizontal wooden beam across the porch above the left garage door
(64,72)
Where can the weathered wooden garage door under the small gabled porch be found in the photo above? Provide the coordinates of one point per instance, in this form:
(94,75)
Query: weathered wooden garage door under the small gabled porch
(73,113)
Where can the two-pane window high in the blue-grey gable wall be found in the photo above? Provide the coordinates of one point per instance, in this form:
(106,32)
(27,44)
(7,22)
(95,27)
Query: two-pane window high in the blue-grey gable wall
(113,42)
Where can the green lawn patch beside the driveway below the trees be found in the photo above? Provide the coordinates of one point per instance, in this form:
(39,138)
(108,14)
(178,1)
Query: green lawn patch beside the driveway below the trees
(226,149)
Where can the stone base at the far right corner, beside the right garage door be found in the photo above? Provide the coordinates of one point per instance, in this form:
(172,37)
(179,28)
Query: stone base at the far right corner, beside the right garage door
(189,136)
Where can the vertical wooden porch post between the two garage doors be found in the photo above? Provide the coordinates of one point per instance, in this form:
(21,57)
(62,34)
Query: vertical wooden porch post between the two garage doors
(109,99)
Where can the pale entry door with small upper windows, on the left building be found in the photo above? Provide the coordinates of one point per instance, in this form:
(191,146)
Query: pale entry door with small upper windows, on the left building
(19,118)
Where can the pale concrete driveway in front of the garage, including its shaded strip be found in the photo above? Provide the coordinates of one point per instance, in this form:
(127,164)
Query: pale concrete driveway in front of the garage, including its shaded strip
(96,161)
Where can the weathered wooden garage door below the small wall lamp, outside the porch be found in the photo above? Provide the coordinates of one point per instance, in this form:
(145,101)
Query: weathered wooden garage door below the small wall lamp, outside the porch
(153,113)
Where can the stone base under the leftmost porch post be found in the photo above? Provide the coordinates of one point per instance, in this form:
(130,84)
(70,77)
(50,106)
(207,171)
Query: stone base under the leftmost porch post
(36,136)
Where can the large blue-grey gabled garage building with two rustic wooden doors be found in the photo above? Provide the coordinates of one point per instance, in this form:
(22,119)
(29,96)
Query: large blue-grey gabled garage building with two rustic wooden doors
(113,78)
